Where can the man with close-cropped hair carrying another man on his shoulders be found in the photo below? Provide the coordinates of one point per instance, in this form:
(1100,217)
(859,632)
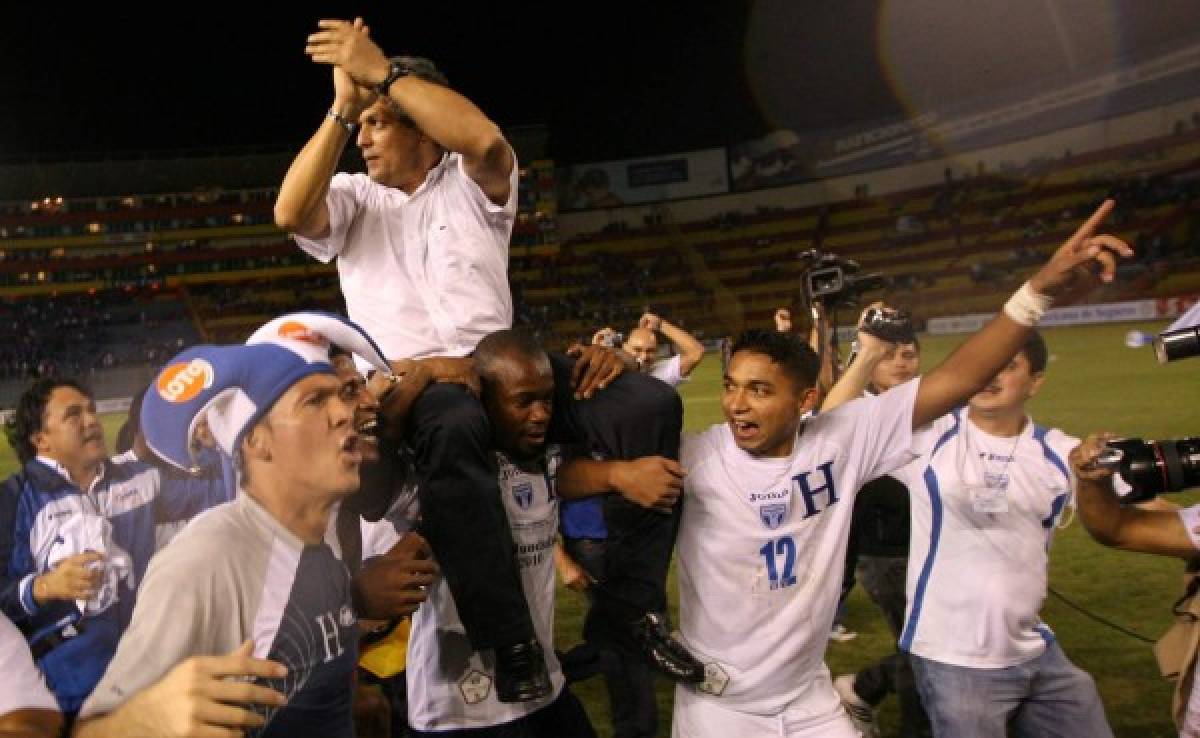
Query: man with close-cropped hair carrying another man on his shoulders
(452,691)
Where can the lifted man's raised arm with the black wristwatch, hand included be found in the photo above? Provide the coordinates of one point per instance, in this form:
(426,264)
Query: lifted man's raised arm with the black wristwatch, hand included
(448,118)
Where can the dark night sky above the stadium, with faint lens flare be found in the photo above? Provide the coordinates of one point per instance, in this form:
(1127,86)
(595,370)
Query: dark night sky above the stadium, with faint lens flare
(611,80)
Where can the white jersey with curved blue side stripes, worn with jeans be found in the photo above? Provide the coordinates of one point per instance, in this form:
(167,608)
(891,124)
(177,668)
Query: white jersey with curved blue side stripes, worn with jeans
(985,511)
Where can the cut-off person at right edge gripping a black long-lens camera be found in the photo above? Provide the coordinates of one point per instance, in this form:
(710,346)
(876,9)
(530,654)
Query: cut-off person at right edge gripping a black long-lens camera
(1174,533)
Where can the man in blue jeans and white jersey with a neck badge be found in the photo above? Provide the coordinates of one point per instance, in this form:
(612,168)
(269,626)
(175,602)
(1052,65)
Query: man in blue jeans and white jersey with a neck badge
(986,502)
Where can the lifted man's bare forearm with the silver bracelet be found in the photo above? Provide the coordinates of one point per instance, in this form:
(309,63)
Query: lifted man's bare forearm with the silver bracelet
(301,207)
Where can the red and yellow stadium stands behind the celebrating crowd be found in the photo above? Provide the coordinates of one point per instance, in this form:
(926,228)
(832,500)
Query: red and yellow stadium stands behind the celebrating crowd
(212,266)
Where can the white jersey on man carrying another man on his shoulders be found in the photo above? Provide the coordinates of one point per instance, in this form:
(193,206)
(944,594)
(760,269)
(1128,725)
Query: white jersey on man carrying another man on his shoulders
(451,687)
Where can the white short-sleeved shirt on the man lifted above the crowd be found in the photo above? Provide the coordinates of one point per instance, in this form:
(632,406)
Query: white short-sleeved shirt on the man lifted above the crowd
(424,274)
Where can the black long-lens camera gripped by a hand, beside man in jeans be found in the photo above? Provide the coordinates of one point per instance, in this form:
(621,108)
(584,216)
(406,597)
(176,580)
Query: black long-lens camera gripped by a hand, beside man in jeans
(1153,467)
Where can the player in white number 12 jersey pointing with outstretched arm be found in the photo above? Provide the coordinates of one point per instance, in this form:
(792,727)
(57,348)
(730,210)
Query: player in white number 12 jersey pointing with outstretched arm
(770,503)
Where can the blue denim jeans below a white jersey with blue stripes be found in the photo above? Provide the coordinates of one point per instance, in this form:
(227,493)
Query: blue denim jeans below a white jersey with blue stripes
(1045,698)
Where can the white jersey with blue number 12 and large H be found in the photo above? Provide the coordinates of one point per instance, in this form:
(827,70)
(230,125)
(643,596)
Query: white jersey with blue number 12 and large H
(763,547)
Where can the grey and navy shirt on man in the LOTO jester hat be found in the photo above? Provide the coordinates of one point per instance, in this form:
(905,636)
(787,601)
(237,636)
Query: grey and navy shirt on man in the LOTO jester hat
(237,574)
